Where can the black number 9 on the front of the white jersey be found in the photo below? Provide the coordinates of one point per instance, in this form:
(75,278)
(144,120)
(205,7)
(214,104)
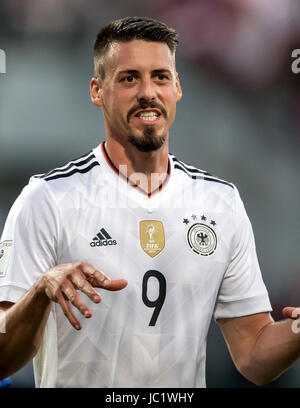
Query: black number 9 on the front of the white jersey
(158,303)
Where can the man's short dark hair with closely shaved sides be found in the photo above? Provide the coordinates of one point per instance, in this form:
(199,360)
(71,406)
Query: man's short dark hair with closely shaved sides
(128,29)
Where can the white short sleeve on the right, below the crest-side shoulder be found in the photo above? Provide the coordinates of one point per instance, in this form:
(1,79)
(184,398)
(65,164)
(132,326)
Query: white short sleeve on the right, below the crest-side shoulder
(242,291)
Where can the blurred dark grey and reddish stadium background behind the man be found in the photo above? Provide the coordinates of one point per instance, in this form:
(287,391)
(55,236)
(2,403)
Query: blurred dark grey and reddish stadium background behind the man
(239,118)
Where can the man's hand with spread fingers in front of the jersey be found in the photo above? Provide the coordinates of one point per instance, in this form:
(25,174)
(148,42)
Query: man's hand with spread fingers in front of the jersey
(61,283)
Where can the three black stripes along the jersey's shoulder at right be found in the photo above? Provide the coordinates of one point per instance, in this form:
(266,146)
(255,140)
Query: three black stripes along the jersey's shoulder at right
(198,175)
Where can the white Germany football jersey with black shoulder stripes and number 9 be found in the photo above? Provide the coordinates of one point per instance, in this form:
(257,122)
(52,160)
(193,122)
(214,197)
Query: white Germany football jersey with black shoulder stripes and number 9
(187,252)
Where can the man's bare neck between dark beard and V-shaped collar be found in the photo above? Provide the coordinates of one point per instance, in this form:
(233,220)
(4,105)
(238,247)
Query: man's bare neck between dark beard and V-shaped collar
(146,169)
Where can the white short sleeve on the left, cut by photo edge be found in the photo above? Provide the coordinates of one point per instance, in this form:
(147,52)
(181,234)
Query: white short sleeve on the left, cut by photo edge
(29,240)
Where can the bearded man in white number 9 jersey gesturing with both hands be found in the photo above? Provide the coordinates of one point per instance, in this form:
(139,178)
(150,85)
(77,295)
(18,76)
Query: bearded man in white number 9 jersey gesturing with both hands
(164,245)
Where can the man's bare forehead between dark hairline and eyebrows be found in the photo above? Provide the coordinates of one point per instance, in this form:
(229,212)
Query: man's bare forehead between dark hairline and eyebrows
(138,55)
